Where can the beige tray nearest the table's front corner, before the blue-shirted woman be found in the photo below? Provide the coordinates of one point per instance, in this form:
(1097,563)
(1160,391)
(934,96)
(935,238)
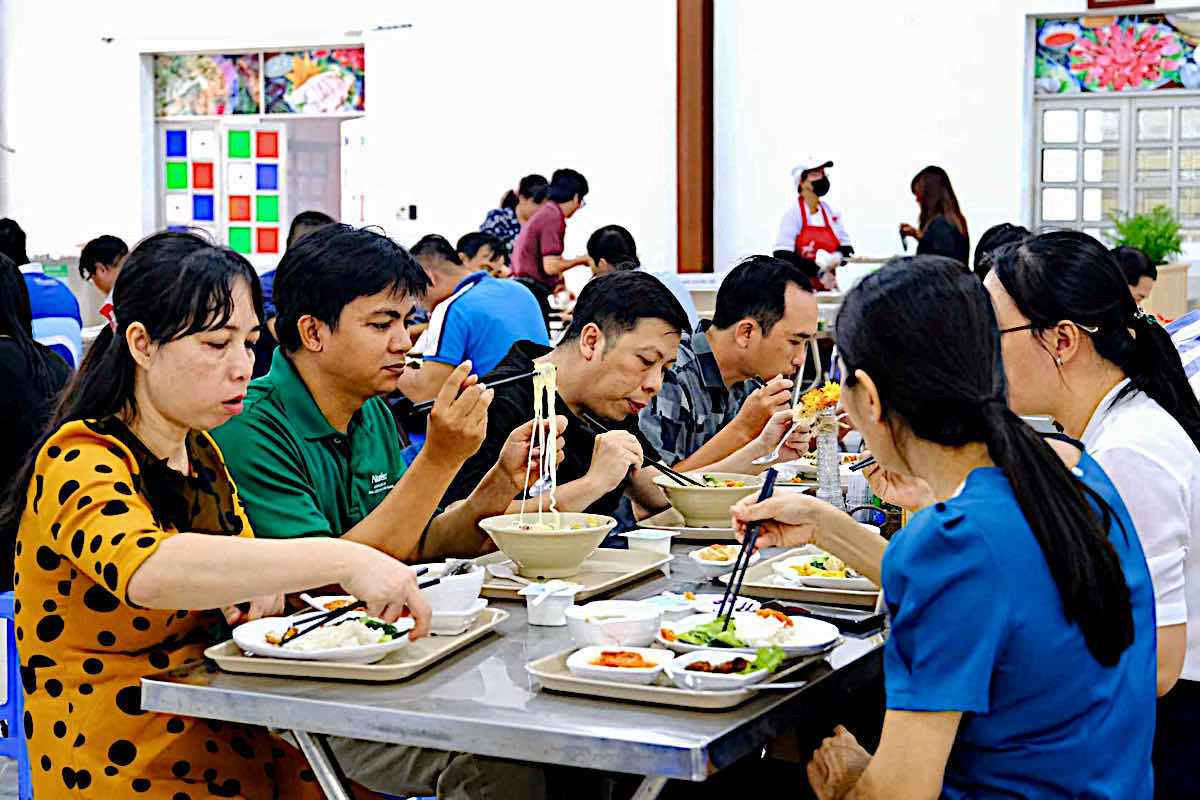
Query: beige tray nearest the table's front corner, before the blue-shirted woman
(554,675)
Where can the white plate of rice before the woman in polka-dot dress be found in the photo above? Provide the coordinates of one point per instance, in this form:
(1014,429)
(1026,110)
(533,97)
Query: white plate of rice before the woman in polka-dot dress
(355,639)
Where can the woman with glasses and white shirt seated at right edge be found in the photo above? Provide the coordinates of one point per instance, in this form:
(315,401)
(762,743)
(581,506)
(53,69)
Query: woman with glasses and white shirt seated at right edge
(1077,348)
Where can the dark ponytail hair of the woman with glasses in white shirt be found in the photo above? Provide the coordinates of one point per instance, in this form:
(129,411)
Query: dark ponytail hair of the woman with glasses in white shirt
(1067,275)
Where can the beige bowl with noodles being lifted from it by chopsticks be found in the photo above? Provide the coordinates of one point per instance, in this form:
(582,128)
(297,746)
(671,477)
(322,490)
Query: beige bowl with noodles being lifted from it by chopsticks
(555,554)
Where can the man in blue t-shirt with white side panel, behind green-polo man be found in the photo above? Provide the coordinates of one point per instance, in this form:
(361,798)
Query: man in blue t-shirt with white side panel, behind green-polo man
(473,317)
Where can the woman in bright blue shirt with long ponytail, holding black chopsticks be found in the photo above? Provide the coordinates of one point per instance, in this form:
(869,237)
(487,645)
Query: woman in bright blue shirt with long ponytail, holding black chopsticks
(1022,654)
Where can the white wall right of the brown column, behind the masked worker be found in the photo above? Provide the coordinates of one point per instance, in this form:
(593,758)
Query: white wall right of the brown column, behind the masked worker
(881,89)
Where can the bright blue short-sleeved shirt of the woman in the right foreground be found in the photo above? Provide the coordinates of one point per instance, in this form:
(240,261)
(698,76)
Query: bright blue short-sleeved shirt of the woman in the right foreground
(979,628)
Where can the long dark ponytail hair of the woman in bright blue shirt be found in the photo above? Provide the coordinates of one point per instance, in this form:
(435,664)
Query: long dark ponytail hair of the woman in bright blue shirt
(926,333)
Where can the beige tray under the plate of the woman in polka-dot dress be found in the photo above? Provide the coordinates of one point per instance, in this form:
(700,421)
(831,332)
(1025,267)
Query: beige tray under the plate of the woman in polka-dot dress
(400,665)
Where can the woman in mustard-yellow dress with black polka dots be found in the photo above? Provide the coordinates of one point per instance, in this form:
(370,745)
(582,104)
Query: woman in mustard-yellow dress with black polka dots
(133,543)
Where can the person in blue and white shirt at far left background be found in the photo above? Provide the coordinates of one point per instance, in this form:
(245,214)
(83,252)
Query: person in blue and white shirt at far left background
(57,320)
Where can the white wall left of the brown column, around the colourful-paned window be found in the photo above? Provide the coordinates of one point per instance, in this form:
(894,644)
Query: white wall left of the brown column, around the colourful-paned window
(489,93)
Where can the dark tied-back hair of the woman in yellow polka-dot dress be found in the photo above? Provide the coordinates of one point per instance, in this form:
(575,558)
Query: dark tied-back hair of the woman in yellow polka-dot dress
(175,284)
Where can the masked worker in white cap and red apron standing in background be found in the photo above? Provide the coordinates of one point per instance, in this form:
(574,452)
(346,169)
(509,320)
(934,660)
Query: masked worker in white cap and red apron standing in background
(811,228)
